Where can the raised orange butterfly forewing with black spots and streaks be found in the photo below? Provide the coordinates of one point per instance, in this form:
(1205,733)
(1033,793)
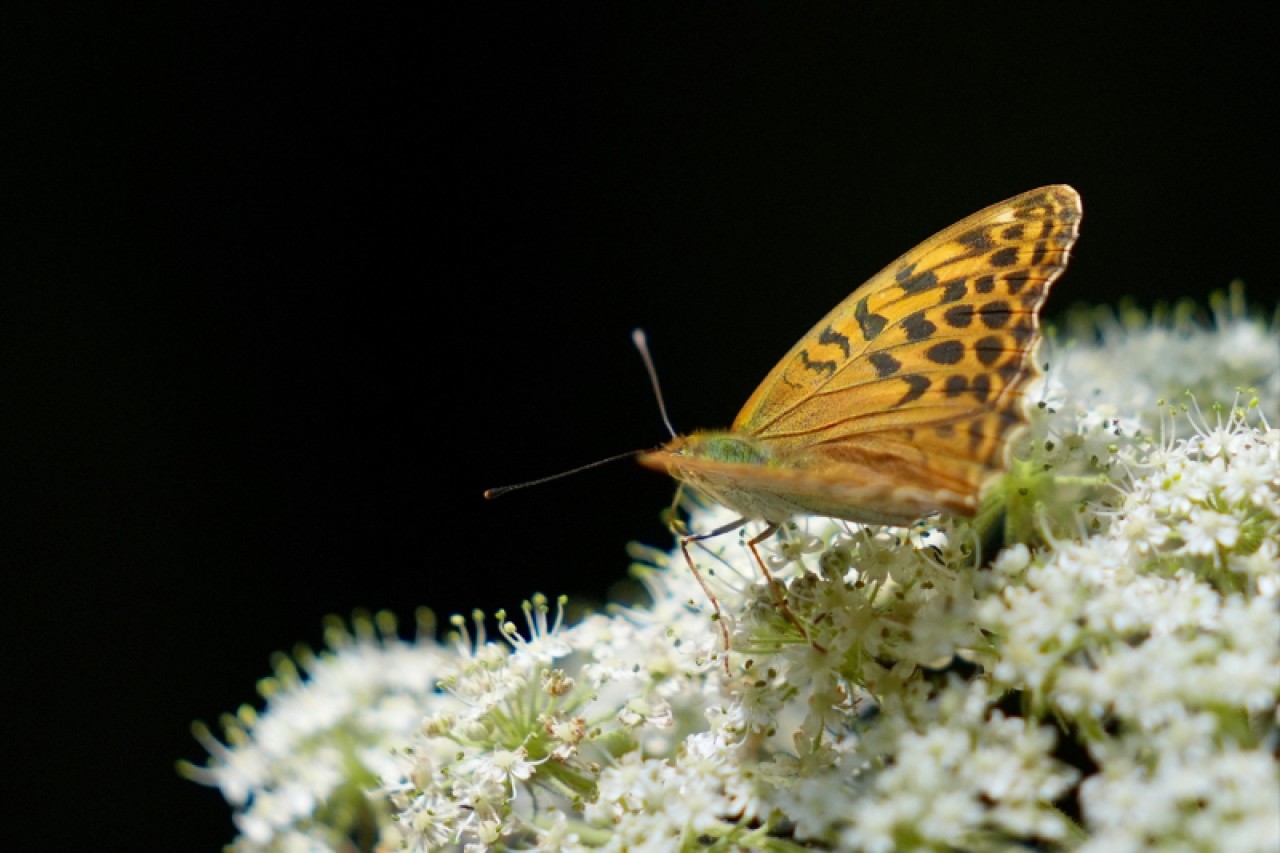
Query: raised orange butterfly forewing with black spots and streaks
(943,332)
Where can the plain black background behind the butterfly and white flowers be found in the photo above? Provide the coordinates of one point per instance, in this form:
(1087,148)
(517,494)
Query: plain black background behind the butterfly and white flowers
(287,290)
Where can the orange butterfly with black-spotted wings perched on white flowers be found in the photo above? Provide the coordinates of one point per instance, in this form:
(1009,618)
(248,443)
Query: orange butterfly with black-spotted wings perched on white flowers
(907,398)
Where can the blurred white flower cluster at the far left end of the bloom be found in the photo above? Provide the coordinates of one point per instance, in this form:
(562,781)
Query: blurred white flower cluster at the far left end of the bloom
(299,774)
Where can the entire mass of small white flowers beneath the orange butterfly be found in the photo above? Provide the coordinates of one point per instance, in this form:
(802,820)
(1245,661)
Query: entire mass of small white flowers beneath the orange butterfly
(1109,679)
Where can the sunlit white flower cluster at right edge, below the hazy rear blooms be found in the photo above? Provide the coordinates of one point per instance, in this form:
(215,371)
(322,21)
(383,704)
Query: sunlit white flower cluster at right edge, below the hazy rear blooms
(1158,641)
